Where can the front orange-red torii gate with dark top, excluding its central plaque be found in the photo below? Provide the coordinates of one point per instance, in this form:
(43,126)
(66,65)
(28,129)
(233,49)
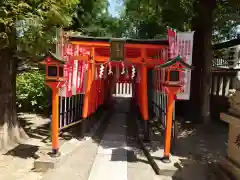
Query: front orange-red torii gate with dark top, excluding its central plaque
(142,53)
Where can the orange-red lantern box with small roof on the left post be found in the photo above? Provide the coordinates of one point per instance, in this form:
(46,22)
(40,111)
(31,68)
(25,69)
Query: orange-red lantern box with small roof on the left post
(54,68)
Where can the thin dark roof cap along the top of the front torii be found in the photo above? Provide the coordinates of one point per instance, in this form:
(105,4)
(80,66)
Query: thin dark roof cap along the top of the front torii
(128,41)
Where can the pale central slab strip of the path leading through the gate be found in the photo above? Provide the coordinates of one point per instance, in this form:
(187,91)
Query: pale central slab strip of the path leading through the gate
(111,159)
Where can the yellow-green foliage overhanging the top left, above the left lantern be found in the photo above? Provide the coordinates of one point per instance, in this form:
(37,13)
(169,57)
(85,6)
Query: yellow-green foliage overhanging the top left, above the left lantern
(34,23)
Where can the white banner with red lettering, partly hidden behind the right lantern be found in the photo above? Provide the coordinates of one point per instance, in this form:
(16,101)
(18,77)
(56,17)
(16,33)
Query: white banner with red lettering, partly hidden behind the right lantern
(185,46)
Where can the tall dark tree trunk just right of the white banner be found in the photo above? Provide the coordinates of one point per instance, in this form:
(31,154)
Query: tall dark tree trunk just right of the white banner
(202,59)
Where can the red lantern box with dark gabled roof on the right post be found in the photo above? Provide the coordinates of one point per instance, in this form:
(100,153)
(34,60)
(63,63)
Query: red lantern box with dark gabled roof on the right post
(173,69)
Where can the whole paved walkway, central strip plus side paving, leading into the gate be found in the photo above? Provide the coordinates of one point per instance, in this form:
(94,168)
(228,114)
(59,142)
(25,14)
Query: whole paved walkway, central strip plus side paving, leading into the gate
(115,158)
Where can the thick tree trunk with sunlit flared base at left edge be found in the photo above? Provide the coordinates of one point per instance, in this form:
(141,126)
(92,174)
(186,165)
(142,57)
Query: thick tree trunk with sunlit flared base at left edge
(10,131)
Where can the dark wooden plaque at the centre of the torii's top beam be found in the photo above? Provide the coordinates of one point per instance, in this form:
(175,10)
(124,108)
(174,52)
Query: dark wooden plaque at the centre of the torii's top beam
(117,49)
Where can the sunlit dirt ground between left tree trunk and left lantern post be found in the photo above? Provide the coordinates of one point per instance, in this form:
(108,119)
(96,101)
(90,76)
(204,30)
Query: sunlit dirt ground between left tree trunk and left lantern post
(17,164)
